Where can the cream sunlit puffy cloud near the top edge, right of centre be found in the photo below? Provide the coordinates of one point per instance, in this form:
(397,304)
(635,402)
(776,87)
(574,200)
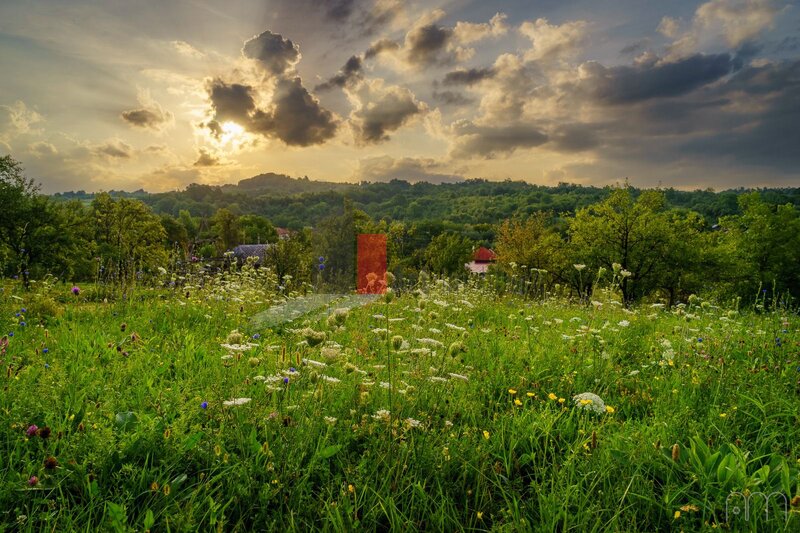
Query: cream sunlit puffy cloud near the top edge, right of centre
(552,42)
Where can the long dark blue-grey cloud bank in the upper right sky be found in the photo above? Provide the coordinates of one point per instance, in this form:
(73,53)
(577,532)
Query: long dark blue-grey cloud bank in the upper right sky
(630,84)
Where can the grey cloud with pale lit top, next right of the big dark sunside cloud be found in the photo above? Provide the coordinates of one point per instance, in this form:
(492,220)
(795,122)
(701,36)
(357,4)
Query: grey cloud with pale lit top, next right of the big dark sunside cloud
(384,113)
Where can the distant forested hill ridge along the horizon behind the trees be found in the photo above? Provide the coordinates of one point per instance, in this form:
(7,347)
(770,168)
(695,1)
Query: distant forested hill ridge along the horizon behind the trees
(296,203)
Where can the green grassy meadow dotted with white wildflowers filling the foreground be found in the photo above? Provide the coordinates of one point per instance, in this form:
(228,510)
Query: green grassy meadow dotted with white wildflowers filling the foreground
(444,406)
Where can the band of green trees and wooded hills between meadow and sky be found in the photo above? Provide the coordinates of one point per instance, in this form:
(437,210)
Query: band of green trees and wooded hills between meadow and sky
(666,249)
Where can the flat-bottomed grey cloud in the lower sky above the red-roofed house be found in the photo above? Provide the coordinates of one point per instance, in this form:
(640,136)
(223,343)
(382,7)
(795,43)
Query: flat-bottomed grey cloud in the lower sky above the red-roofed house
(490,141)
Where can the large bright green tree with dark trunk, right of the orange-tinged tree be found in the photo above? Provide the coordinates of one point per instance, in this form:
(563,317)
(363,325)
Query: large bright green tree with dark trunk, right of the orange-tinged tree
(632,233)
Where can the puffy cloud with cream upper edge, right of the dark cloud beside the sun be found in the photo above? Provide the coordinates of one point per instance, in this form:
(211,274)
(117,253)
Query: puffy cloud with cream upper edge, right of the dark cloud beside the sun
(380,109)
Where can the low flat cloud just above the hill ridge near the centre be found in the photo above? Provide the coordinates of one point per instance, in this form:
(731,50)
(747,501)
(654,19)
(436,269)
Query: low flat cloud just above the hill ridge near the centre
(386,168)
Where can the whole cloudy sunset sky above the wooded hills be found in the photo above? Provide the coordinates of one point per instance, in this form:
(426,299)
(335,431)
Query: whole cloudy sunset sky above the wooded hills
(158,94)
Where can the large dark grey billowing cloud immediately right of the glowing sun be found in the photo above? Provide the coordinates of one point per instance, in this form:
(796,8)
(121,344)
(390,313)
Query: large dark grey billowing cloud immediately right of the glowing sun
(296,118)
